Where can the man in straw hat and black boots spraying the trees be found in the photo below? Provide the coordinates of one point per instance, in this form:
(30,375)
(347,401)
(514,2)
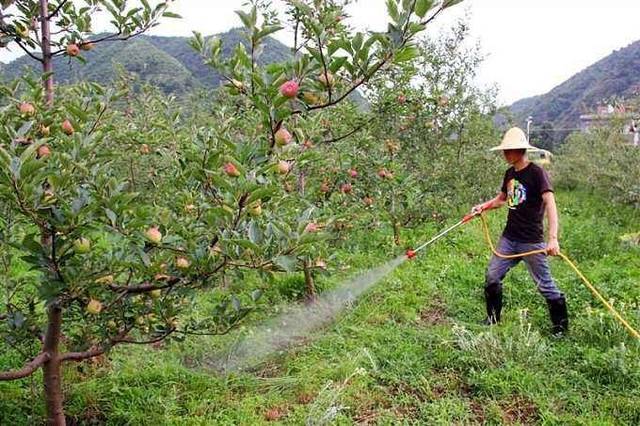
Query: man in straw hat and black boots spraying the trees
(528,193)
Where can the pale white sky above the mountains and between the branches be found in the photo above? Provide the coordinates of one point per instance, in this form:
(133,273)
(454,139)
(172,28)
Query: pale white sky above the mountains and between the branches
(531,45)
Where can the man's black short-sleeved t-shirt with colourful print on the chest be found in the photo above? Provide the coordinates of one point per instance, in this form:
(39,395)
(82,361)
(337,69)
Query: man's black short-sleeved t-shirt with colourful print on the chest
(524,191)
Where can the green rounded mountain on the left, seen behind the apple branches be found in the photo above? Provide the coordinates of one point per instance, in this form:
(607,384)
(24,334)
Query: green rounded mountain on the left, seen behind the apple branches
(168,62)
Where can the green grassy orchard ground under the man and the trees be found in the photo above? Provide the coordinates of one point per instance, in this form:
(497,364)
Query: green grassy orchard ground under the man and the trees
(410,351)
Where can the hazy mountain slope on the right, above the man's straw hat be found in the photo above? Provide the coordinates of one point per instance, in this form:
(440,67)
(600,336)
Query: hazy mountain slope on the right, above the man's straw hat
(616,76)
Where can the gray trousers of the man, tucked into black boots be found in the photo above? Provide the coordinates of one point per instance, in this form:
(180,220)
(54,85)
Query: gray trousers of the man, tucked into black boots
(536,264)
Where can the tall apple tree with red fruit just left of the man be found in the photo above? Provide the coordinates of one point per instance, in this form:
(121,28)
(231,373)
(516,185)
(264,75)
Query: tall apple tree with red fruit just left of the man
(430,136)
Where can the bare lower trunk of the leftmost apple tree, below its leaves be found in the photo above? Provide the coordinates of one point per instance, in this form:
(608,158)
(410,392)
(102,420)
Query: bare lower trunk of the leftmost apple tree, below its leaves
(52,369)
